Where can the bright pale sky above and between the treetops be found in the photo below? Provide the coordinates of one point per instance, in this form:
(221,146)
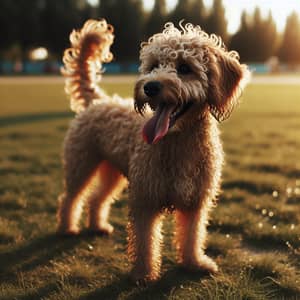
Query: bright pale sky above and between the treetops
(280,9)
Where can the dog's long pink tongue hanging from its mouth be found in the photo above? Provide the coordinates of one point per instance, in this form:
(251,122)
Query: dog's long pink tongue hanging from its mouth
(157,127)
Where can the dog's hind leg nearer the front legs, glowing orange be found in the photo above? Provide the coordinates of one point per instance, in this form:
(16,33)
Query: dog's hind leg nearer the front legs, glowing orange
(109,184)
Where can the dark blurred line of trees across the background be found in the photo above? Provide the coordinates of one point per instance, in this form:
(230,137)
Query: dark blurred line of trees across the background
(27,24)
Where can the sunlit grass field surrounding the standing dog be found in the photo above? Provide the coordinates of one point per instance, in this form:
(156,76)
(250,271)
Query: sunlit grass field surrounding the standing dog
(254,234)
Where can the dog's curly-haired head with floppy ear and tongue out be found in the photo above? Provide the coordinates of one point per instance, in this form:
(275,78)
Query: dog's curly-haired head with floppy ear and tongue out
(185,73)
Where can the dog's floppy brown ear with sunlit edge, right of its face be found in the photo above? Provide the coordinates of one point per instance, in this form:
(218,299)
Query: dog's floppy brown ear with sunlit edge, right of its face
(227,78)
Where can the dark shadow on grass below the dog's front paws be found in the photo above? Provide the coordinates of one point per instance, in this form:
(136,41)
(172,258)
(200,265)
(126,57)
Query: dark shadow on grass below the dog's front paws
(173,279)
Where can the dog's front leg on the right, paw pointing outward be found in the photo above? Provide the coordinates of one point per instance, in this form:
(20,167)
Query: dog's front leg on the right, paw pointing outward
(190,238)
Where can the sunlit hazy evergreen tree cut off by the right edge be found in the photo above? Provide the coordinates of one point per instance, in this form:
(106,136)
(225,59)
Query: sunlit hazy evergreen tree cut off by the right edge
(290,48)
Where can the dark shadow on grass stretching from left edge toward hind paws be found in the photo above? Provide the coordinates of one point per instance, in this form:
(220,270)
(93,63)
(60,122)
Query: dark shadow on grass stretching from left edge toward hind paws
(35,252)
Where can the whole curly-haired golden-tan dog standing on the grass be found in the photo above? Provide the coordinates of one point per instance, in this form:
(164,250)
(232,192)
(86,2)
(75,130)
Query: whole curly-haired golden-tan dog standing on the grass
(189,80)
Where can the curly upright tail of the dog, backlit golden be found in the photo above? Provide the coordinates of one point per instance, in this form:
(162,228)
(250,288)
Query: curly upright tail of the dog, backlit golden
(90,47)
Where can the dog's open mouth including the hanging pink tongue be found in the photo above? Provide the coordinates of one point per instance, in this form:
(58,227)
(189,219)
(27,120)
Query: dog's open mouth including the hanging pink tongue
(165,116)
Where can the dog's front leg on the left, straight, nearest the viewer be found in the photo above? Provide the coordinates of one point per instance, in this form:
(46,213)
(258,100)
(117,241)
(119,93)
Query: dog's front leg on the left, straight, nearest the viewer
(144,244)
